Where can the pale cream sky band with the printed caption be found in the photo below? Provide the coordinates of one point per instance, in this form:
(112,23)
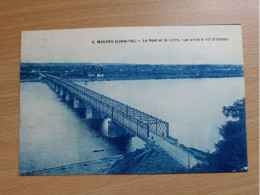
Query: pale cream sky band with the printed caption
(80,45)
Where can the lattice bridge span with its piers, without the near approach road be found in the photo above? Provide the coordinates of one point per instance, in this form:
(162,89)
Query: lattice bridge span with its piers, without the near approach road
(124,119)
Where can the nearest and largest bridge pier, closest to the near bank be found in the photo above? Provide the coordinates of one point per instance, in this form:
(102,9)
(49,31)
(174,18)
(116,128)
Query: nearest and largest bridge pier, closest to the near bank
(115,131)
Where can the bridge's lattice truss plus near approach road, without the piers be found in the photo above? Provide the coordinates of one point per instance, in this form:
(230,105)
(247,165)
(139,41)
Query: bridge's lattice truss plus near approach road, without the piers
(147,127)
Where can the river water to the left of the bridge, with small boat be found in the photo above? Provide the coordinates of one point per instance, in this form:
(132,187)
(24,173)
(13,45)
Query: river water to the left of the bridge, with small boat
(53,134)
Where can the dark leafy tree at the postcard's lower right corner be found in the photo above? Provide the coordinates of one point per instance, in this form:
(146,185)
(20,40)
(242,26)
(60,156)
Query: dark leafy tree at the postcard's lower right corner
(231,151)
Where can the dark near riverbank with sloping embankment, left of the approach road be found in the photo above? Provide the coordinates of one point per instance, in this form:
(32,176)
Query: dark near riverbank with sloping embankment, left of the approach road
(141,161)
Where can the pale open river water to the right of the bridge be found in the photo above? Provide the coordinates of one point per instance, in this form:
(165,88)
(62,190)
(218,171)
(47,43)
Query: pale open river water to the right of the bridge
(193,107)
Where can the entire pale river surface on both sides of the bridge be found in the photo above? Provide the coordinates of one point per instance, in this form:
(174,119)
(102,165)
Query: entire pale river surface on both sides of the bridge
(53,134)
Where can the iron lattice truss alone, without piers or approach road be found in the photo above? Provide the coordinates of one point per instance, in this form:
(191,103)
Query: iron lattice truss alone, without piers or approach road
(129,118)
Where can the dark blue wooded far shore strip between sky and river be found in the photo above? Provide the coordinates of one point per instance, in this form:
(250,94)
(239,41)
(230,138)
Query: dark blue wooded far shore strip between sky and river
(129,72)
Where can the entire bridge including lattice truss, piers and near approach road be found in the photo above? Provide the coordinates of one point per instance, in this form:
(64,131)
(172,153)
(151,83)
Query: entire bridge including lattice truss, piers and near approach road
(125,120)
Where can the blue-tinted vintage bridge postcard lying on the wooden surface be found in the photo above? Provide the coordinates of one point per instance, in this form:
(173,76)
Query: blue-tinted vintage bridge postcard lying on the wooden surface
(132,100)
